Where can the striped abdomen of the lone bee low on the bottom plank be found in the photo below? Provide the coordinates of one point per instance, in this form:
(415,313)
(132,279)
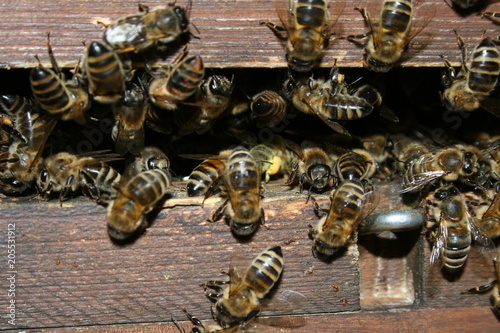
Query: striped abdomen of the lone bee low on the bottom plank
(265,271)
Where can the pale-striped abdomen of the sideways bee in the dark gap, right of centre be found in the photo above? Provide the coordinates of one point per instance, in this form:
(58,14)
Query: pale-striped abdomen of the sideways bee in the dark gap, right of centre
(346,107)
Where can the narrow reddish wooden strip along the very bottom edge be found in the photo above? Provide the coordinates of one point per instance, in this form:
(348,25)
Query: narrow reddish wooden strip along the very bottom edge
(428,320)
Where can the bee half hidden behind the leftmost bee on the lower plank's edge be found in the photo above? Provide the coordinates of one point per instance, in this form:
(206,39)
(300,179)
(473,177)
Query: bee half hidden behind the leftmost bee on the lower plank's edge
(149,158)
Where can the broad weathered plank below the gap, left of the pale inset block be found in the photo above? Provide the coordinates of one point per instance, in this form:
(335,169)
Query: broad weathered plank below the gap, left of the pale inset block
(69,273)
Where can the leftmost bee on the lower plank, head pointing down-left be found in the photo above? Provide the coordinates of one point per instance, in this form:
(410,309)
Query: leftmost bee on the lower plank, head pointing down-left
(134,199)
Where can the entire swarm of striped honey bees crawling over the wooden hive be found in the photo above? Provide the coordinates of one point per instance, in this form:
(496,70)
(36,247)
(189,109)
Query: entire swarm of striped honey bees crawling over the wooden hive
(455,184)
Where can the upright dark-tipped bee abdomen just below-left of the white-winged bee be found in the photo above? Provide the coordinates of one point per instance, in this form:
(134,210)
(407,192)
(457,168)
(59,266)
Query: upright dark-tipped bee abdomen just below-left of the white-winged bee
(105,73)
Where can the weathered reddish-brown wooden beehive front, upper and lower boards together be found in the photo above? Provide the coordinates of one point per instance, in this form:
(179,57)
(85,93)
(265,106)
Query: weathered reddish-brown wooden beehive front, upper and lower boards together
(71,277)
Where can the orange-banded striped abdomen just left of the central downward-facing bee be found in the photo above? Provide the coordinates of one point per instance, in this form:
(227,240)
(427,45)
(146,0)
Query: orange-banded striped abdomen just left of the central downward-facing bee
(203,176)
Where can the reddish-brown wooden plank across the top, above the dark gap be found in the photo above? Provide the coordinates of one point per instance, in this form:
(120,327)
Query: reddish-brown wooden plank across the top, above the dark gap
(230,32)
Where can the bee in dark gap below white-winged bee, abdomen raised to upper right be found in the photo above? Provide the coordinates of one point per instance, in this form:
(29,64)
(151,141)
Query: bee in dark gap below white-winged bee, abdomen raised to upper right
(177,82)
